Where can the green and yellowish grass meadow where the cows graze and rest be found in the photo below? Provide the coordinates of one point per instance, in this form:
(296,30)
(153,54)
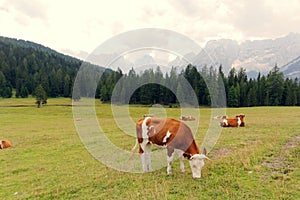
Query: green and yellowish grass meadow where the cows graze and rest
(49,161)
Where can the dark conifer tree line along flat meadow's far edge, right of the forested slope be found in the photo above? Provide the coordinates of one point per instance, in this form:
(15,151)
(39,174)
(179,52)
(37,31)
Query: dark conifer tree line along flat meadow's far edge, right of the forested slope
(240,91)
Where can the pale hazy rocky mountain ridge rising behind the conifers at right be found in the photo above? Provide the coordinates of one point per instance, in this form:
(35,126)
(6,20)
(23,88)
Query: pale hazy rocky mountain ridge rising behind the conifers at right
(255,56)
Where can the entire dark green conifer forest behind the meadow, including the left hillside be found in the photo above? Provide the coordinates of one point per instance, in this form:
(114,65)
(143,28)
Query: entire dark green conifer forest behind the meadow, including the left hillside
(24,66)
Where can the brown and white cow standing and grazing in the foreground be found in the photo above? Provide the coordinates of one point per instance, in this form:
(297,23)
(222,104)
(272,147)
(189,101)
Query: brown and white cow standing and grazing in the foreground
(173,135)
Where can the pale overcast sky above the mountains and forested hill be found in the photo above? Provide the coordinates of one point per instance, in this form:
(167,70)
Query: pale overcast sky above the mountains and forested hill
(77,25)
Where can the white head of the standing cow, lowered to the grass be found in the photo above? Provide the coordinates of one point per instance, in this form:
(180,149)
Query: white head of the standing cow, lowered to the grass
(197,162)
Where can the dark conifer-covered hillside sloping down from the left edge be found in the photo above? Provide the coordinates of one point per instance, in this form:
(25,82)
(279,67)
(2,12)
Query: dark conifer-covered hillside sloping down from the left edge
(25,65)
